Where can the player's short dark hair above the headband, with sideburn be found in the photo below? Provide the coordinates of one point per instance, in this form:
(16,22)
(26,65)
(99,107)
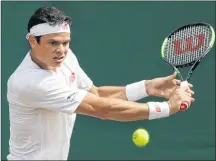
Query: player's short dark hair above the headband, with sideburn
(50,15)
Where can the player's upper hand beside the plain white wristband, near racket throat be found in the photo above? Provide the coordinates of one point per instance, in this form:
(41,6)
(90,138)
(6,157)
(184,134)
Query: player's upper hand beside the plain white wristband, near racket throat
(163,87)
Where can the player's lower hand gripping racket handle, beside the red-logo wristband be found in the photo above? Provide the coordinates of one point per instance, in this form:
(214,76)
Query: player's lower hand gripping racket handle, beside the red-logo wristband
(179,95)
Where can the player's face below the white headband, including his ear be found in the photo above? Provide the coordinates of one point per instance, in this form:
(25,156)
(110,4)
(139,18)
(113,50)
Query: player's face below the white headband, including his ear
(52,49)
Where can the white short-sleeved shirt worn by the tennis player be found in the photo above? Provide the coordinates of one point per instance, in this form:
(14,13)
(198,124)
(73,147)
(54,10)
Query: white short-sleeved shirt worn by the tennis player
(41,107)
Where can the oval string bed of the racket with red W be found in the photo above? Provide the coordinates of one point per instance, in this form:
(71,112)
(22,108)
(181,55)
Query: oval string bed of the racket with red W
(180,52)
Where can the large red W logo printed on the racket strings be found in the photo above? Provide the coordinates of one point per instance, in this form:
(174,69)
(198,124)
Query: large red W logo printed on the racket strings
(188,44)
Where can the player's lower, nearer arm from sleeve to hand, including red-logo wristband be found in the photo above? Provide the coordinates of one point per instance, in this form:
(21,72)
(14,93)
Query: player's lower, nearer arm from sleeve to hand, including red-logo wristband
(119,110)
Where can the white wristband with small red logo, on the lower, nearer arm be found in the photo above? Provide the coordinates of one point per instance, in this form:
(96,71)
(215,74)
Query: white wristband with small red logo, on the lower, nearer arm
(158,110)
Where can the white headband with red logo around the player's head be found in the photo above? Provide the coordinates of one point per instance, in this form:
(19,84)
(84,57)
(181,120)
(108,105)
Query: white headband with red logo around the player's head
(45,28)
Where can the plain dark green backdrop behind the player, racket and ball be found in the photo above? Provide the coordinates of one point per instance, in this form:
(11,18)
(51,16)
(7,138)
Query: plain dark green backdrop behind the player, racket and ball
(118,43)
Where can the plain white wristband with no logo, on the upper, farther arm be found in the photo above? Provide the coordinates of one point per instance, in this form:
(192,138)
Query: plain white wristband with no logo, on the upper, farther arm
(136,91)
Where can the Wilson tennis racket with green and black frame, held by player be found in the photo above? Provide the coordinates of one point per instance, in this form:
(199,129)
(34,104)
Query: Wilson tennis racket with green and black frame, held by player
(185,47)
